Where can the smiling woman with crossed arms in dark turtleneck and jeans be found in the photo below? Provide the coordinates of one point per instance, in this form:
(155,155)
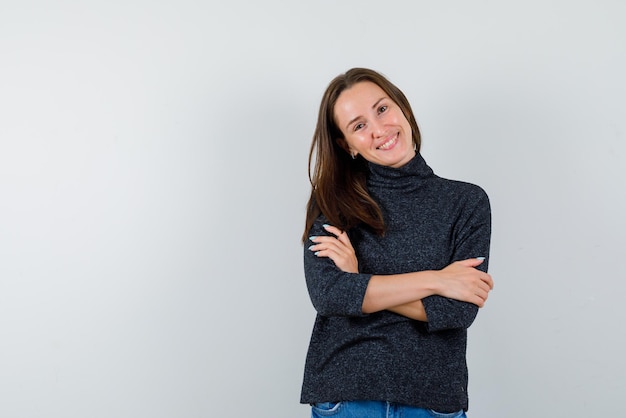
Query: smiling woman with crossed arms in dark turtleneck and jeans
(395,262)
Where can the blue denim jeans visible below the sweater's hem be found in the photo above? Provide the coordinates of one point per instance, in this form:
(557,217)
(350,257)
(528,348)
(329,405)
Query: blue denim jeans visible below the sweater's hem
(376,409)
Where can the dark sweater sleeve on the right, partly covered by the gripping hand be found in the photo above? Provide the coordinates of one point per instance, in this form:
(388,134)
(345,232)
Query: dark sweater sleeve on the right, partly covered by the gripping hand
(472,239)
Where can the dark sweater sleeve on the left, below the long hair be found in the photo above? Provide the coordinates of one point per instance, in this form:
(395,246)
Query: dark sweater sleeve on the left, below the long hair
(333,292)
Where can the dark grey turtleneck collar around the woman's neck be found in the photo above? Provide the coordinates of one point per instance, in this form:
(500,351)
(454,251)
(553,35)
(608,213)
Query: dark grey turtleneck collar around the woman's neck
(401,177)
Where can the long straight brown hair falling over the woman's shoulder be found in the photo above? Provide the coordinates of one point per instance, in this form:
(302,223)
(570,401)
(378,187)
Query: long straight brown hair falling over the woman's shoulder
(338,182)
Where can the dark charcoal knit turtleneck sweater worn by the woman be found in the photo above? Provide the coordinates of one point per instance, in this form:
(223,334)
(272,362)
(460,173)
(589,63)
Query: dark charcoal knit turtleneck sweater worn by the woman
(430,223)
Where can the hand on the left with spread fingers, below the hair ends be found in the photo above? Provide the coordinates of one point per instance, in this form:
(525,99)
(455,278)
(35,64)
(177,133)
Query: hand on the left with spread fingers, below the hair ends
(338,248)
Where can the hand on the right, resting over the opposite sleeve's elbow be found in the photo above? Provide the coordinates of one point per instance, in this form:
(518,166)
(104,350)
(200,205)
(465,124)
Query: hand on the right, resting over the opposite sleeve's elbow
(462,281)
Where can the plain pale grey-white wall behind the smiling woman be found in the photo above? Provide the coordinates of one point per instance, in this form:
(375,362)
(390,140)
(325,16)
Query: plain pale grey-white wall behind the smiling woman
(153,181)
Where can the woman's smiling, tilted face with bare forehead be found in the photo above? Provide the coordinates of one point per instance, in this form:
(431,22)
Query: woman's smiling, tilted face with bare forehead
(373,125)
